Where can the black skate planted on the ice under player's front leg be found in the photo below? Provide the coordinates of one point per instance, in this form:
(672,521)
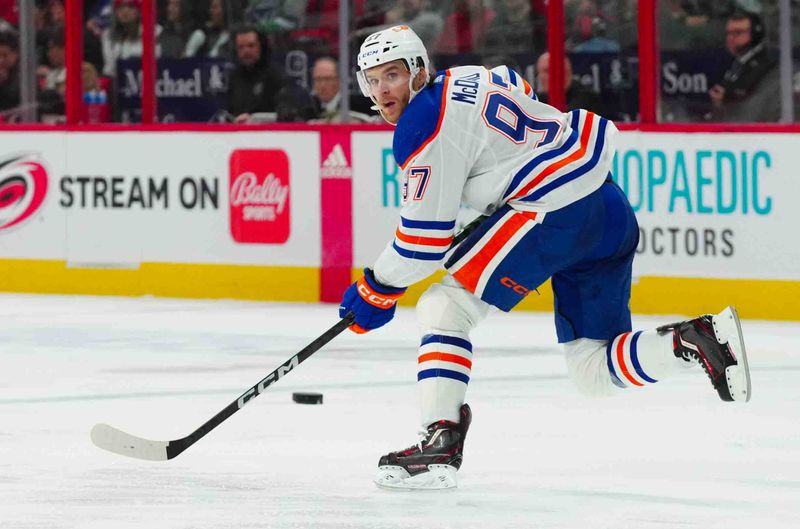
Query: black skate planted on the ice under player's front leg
(432,462)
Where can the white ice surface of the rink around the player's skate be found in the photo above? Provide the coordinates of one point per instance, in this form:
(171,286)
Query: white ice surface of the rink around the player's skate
(538,455)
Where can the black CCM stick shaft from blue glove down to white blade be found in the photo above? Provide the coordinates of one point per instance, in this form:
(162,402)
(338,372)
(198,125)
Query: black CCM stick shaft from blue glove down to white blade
(176,447)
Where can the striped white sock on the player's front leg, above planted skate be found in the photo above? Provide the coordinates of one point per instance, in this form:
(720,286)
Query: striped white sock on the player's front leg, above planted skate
(444,366)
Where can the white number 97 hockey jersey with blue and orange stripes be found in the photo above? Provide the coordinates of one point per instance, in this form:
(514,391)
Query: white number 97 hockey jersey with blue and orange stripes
(480,137)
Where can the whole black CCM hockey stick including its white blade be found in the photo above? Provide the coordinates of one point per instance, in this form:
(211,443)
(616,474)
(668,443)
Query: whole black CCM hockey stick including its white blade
(115,440)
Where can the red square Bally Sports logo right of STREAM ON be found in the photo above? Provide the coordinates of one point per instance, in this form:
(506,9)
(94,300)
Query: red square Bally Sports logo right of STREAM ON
(259,196)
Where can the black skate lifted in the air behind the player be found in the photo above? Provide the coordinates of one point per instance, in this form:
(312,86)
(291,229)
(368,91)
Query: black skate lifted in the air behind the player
(716,343)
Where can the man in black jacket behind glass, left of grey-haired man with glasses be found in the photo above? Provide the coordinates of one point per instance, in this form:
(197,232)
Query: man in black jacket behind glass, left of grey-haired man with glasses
(253,82)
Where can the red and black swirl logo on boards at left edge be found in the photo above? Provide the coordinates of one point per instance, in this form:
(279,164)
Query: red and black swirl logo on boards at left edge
(23,186)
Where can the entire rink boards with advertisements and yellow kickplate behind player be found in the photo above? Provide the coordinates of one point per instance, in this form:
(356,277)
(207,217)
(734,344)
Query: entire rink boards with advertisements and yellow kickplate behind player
(293,214)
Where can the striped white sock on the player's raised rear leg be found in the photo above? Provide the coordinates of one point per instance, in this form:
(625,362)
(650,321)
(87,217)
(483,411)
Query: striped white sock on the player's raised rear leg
(641,358)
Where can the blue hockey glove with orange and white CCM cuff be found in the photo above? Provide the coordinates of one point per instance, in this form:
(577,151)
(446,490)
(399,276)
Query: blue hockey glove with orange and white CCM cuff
(372,304)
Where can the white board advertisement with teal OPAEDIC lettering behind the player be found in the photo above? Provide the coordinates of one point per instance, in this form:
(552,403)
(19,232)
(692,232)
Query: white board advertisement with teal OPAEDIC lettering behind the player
(709,205)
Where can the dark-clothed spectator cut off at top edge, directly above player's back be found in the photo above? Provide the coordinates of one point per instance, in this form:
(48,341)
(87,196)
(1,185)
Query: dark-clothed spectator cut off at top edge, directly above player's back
(512,30)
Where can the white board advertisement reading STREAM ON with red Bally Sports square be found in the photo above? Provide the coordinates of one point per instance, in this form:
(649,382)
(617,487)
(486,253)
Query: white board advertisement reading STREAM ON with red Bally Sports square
(124,198)
